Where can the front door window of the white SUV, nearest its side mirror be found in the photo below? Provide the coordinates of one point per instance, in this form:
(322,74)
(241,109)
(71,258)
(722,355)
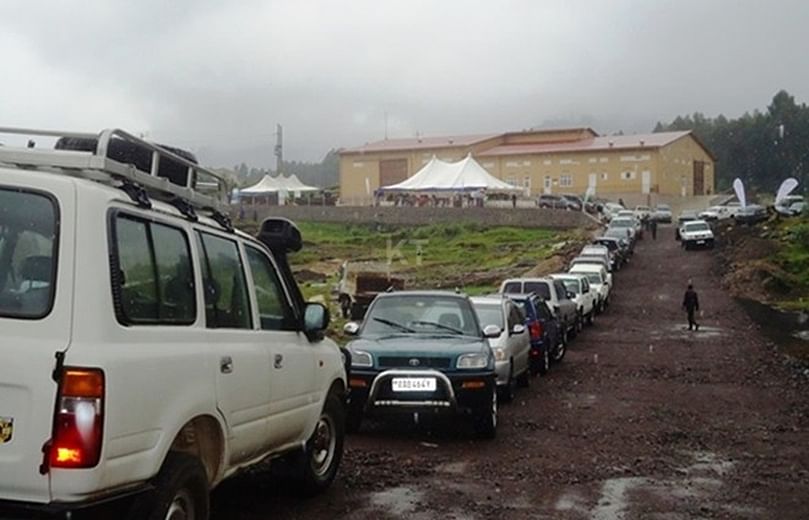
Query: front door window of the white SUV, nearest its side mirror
(274,310)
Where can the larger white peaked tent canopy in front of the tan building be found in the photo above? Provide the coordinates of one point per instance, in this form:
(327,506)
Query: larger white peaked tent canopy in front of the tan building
(464,175)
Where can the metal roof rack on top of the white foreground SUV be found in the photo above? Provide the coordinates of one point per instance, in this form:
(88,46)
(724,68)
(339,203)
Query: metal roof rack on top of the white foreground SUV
(203,189)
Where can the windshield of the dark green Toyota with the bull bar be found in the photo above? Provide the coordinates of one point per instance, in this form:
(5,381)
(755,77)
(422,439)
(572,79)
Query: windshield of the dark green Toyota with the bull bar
(421,314)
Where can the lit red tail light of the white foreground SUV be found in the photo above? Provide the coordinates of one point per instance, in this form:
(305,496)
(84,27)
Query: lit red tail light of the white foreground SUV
(78,420)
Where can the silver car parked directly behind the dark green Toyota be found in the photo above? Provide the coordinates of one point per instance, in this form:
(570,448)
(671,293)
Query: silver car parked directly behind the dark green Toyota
(512,348)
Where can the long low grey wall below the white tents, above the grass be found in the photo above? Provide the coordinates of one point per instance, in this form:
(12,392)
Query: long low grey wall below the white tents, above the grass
(520,217)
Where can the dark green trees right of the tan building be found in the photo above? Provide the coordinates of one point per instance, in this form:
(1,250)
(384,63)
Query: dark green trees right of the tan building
(761,148)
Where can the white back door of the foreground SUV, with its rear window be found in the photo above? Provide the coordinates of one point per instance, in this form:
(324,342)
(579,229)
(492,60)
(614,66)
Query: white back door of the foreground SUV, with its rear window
(36,268)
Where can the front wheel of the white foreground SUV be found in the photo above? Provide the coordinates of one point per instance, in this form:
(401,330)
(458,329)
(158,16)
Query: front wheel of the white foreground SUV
(316,466)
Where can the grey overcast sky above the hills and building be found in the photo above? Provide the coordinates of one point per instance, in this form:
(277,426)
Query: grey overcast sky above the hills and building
(215,77)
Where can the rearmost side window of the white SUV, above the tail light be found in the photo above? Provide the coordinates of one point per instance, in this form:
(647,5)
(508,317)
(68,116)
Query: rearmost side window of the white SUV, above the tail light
(153,281)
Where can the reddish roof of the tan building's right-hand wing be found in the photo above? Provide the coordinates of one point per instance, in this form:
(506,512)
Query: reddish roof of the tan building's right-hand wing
(603,143)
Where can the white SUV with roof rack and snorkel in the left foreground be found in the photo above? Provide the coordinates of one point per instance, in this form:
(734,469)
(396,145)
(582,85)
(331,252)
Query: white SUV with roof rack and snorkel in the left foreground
(149,350)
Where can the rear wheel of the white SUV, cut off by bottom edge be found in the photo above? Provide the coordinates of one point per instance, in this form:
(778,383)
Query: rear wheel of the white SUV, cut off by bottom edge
(180,491)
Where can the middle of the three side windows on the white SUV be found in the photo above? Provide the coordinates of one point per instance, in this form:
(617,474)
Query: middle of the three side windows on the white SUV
(226,302)
